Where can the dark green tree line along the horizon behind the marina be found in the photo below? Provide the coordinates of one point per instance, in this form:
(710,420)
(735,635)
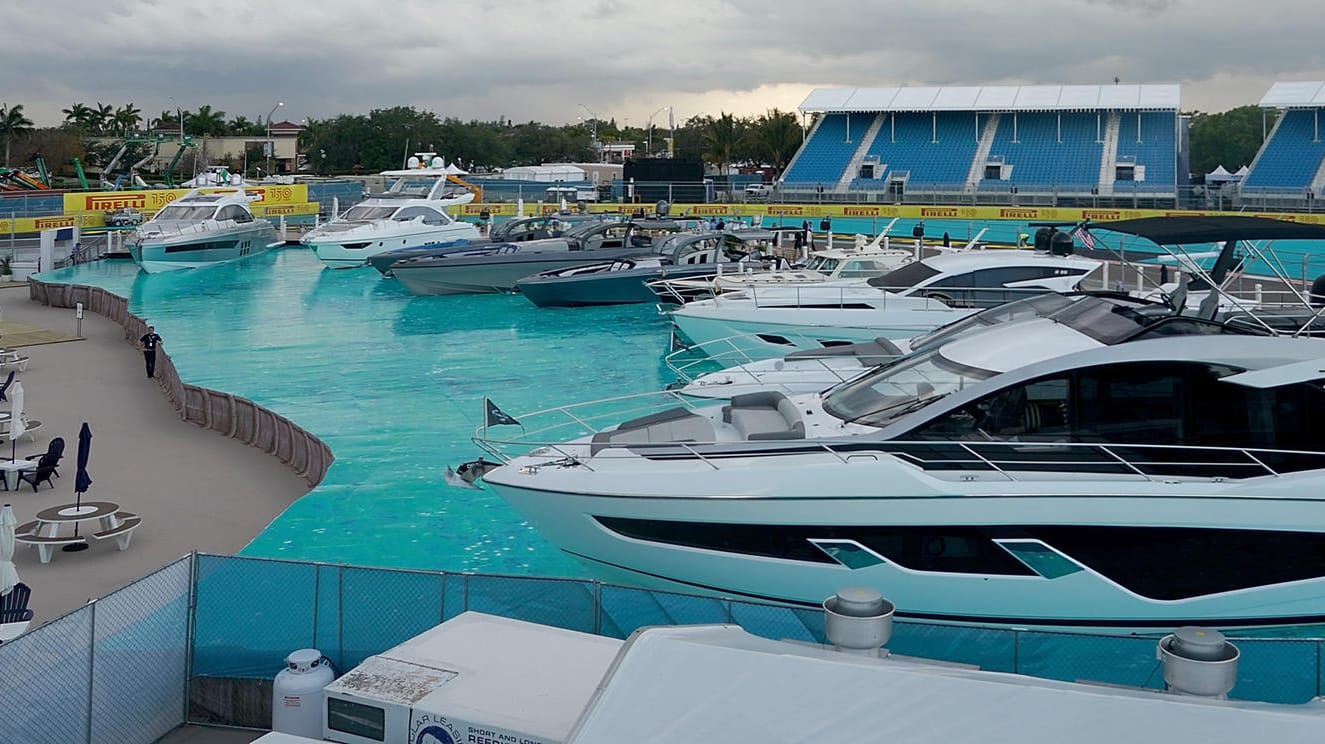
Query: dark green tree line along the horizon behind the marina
(385,138)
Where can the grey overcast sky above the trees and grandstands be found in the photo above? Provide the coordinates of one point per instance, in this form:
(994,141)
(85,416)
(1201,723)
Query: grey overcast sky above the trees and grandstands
(558,62)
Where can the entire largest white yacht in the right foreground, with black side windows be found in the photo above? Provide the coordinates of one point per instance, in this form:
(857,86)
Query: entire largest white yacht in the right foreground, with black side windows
(1143,487)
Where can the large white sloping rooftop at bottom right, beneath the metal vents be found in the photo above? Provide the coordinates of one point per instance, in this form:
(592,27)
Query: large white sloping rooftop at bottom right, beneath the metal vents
(719,684)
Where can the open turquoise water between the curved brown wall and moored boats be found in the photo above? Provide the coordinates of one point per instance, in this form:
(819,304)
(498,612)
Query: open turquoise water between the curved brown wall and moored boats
(394,385)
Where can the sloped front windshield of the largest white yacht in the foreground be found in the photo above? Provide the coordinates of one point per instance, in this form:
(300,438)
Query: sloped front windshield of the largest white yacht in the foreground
(900,389)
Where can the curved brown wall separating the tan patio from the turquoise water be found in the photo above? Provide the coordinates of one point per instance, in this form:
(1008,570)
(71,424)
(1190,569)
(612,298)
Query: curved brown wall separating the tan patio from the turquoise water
(239,419)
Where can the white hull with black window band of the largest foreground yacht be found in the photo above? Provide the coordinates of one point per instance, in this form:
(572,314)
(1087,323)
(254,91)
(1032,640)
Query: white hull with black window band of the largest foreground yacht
(926,549)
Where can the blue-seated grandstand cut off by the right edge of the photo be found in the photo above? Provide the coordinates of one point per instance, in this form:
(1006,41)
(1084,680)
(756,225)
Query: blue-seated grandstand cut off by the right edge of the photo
(1291,165)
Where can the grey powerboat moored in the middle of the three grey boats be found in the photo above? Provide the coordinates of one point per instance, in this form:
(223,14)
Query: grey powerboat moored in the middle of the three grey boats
(499,268)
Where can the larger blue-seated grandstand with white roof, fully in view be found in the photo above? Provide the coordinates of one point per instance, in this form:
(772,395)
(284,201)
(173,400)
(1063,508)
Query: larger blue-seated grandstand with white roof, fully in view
(994,145)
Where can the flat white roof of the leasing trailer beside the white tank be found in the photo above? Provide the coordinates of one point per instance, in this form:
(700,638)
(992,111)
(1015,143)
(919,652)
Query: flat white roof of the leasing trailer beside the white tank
(490,671)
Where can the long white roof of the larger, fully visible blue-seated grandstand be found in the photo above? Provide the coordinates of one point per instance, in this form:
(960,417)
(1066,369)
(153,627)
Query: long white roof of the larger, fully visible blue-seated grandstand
(994,99)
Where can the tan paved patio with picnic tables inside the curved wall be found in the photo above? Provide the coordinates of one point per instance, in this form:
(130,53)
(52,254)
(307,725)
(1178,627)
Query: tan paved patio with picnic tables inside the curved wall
(194,489)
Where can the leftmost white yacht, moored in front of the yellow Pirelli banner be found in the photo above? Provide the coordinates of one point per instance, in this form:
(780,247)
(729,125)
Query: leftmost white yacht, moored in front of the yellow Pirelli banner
(202,228)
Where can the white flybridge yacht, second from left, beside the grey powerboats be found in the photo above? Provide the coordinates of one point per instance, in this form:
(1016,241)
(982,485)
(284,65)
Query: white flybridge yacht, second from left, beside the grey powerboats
(411,214)
